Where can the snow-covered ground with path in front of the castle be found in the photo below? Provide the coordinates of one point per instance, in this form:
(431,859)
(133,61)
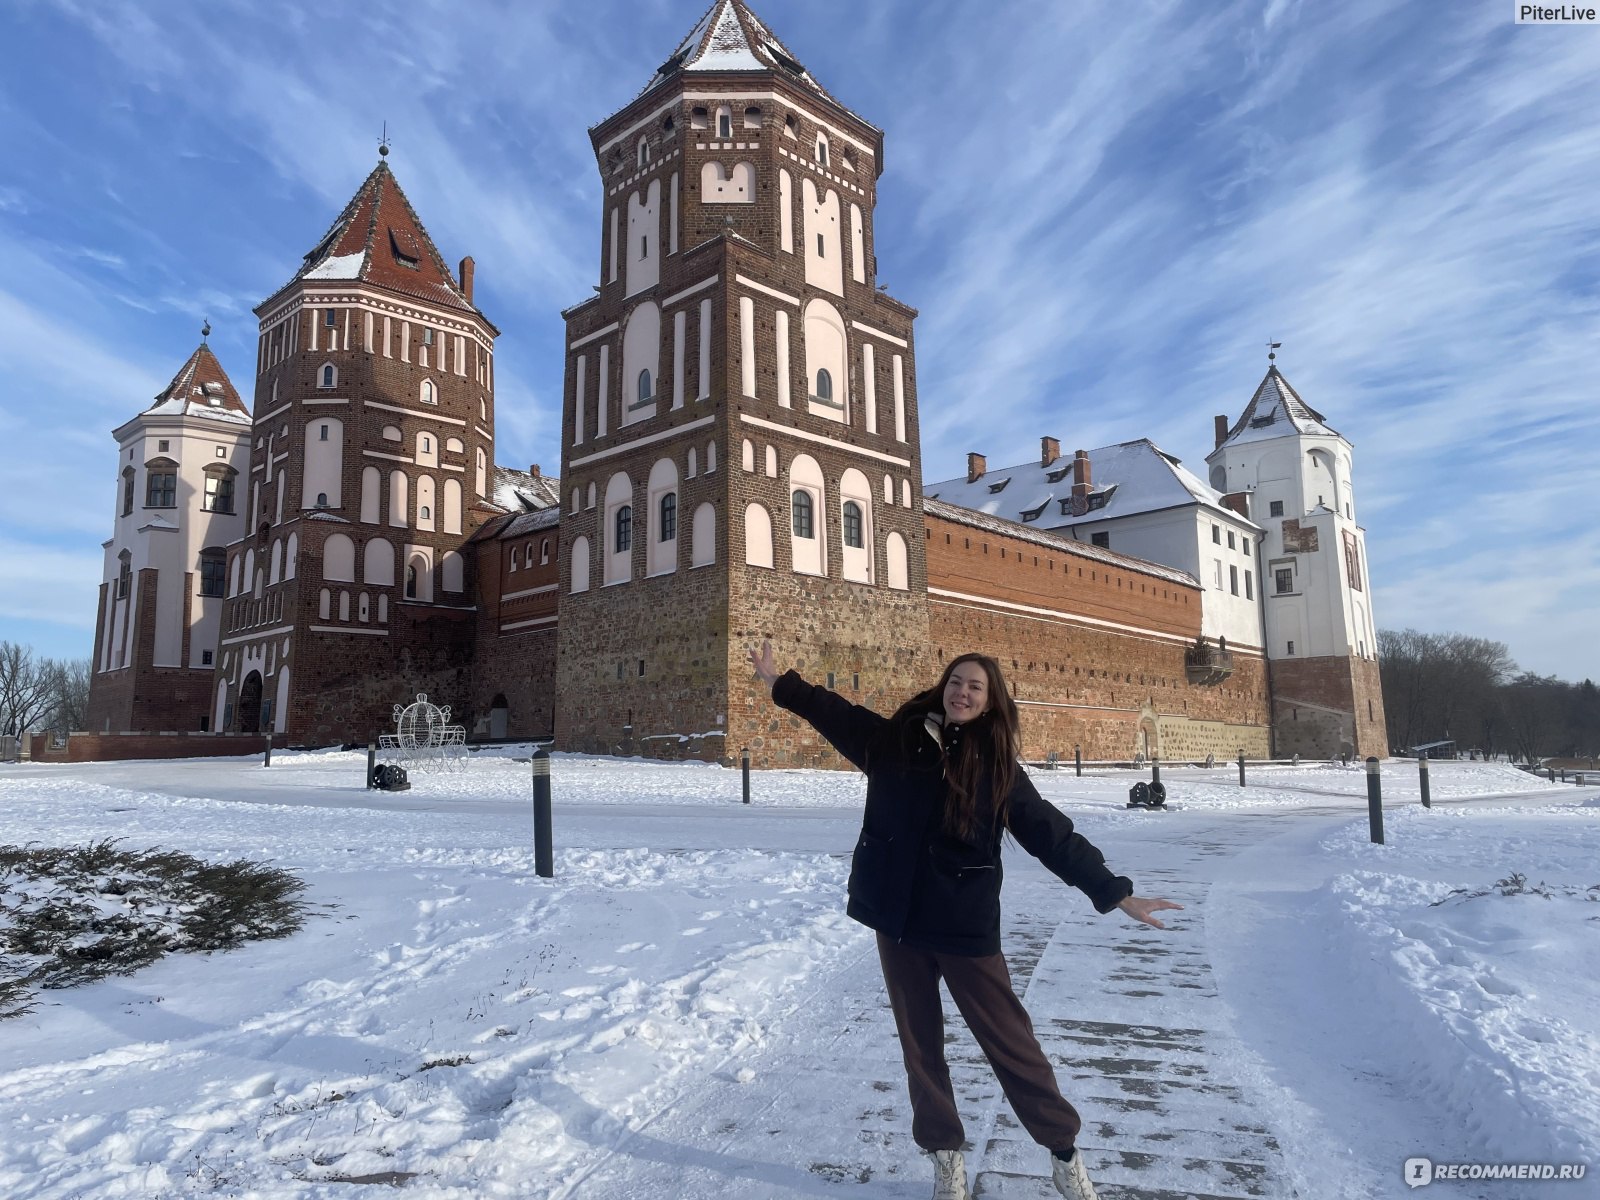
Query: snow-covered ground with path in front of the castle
(686,1010)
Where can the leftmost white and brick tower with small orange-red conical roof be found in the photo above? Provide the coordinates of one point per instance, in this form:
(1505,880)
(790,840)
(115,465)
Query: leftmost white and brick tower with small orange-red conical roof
(180,470)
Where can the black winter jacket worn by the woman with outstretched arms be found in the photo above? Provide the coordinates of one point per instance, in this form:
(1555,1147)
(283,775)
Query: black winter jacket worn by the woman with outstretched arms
(913,881)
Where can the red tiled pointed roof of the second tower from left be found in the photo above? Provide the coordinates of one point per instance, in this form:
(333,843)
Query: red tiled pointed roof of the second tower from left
(378,239)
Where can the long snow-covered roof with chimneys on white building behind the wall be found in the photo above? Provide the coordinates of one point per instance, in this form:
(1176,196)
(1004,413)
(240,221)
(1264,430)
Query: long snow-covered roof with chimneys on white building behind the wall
(1126,479)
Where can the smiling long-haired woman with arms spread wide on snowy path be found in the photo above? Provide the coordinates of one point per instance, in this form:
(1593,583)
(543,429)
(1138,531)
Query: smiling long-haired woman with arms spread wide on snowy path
(943,786)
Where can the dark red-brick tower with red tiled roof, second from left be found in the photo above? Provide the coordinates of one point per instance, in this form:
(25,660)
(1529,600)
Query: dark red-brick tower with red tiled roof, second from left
(372,465)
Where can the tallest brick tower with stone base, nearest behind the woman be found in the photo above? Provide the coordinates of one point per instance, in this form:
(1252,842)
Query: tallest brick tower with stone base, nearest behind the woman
(740,442)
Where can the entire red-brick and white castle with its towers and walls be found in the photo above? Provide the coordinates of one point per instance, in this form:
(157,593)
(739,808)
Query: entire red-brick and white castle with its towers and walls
(740,460)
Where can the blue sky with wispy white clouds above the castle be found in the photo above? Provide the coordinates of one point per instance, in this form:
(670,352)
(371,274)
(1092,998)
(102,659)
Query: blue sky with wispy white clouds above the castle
(1102,210)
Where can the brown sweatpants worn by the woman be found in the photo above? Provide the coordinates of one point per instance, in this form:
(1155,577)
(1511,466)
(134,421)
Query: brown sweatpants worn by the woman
(982,990)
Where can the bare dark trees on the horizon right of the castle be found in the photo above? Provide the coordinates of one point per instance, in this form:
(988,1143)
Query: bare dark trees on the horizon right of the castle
(1470,690)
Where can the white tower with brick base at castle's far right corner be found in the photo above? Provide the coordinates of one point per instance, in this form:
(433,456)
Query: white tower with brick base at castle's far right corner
(1322,641)
